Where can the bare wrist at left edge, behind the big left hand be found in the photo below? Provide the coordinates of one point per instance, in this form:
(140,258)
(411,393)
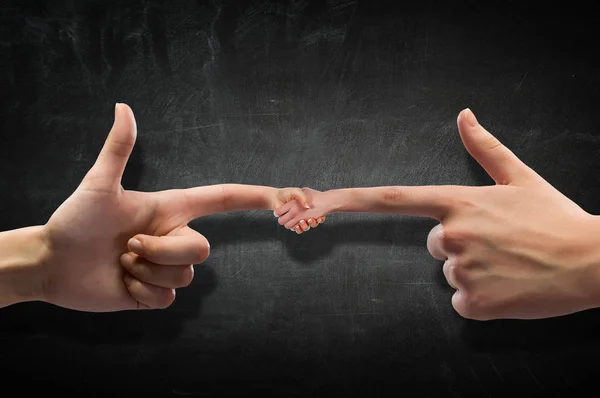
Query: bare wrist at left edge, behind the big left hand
(22,255)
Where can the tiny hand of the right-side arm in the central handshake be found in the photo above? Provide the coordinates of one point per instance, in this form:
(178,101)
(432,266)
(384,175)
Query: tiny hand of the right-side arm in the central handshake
(299,219)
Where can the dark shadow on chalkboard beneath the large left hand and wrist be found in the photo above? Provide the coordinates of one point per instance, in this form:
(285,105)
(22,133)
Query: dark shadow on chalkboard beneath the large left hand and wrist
(40,320)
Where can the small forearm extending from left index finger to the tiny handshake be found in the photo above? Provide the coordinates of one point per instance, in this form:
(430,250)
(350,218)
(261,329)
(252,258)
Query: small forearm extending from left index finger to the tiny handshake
(231,197)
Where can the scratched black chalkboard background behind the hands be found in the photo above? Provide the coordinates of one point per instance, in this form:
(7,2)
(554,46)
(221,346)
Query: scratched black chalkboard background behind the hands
(313,93)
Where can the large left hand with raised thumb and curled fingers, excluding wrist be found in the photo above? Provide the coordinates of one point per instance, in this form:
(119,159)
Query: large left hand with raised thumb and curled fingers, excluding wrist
(85,268)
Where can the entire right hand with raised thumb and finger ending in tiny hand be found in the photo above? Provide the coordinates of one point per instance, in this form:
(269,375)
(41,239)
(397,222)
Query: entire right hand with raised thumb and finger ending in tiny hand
(519,249)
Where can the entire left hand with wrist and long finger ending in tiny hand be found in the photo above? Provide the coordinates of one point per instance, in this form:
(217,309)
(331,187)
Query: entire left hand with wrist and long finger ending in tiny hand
(87,256)
